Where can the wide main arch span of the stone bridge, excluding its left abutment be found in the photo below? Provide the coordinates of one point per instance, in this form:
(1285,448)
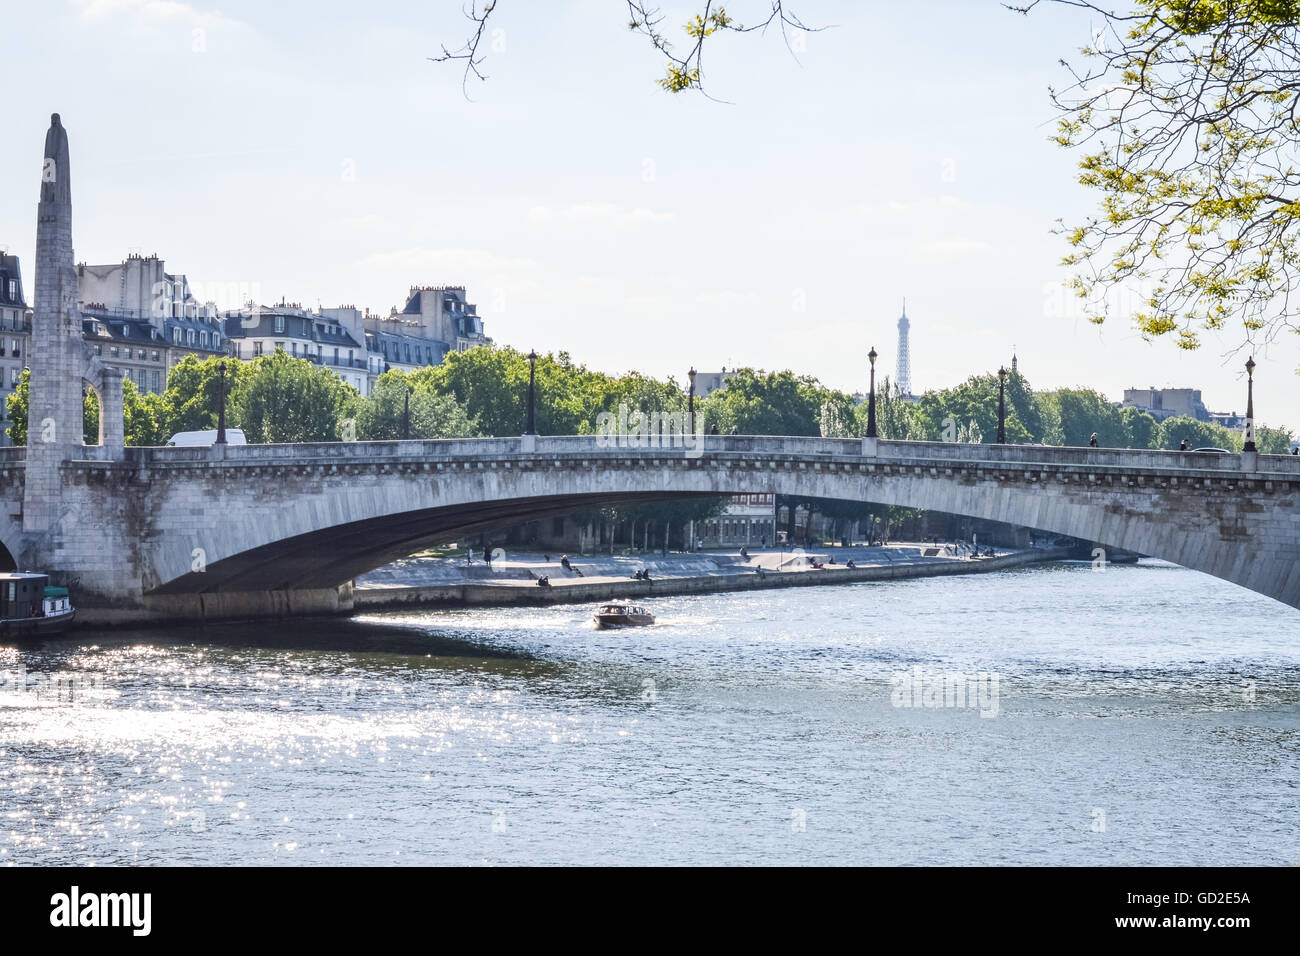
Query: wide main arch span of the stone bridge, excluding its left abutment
(318,525)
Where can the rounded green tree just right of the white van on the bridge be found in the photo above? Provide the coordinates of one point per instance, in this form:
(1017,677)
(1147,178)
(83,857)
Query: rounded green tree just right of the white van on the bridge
(287,400)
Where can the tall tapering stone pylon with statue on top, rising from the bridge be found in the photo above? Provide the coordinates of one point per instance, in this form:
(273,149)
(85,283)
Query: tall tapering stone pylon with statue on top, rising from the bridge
(59,360)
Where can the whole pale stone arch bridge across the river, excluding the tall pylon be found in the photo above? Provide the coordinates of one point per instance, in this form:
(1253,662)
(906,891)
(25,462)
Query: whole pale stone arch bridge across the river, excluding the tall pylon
(267,530)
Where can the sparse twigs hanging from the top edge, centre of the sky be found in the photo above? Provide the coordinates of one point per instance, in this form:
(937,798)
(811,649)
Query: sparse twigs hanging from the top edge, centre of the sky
(684,72)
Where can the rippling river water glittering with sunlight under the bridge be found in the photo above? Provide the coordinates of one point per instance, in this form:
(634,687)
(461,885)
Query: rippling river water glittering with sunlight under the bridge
(1145,715)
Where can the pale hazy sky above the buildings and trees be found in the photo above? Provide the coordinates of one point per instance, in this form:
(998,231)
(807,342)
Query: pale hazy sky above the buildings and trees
(311,152)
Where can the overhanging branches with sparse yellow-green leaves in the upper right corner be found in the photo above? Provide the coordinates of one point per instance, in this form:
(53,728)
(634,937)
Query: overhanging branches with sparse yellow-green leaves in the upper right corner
(1186,111)
